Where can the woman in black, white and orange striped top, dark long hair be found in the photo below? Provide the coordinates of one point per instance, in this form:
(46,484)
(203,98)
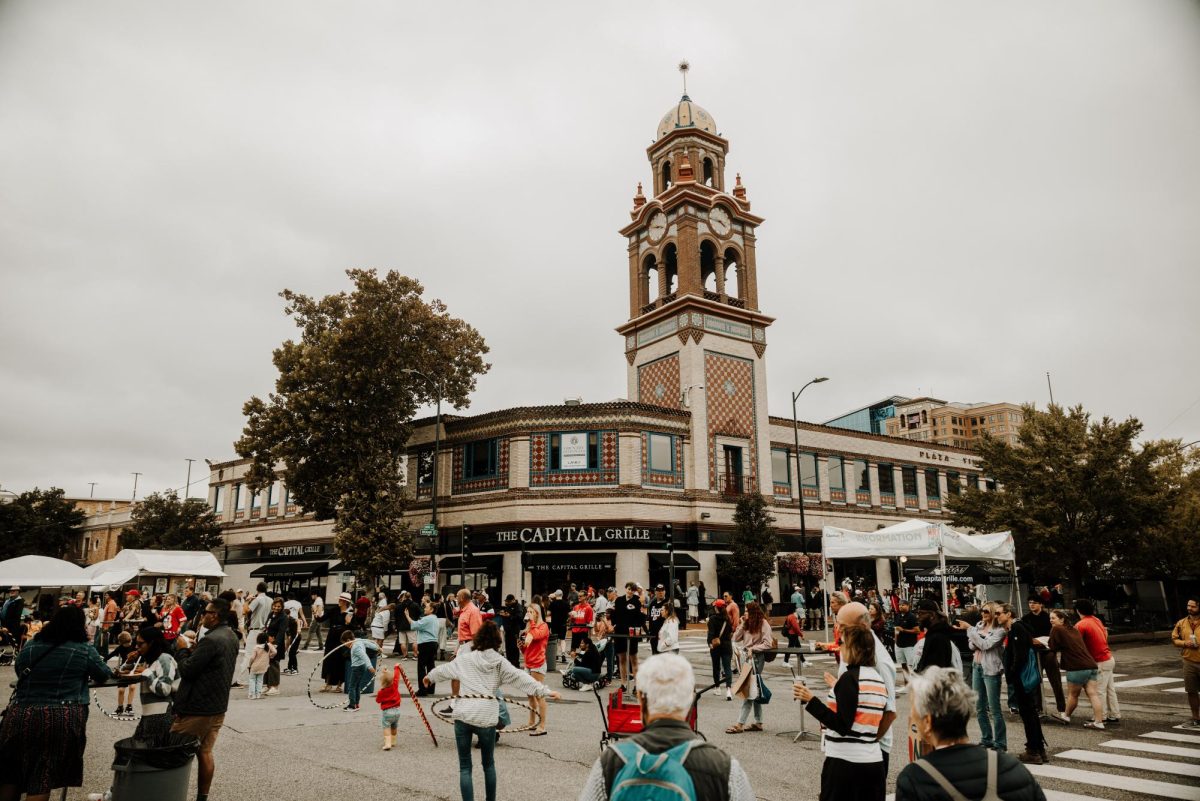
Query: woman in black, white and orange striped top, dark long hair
(855,718)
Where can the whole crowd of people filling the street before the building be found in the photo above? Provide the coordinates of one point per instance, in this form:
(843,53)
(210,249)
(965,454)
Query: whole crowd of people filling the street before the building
(182,658)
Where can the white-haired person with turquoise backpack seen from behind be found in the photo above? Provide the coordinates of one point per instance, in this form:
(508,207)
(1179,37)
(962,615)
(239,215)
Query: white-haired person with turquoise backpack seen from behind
(665,686)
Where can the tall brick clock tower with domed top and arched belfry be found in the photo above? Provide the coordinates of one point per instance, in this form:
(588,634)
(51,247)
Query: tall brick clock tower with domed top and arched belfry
(695,339)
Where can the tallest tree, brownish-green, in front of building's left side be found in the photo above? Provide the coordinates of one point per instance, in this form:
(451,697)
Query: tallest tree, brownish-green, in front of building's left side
(341,413)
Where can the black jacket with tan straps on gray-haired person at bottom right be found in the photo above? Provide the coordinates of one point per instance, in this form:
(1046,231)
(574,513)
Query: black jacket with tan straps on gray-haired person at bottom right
(967,768)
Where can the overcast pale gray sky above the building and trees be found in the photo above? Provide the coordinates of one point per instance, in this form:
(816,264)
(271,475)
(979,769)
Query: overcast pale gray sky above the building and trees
(959,197)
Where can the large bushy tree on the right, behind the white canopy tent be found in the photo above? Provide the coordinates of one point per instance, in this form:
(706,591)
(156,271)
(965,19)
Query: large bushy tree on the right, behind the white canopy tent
(1076,493)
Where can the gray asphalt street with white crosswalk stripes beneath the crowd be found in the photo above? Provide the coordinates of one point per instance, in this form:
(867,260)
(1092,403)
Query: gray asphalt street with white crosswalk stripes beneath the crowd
(285,748)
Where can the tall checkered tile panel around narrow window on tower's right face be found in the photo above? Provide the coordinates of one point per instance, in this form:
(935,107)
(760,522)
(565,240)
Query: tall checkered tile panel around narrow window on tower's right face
(730,394)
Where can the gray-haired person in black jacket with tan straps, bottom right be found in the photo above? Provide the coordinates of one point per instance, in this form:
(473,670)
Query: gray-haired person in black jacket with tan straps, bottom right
(957,770)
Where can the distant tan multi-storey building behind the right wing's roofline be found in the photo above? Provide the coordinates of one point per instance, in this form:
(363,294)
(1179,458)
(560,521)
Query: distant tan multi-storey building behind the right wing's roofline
(958,425)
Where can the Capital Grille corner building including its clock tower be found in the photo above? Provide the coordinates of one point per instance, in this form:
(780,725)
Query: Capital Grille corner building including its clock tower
(536,498)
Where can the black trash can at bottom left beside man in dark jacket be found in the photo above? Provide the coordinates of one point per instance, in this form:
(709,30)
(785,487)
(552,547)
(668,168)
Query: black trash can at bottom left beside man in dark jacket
(159,770)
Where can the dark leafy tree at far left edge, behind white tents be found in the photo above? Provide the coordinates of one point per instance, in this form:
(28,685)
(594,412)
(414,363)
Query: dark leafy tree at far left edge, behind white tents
(40,522)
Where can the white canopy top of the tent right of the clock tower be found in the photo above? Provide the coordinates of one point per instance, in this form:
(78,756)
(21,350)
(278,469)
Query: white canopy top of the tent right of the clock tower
(917,539)
